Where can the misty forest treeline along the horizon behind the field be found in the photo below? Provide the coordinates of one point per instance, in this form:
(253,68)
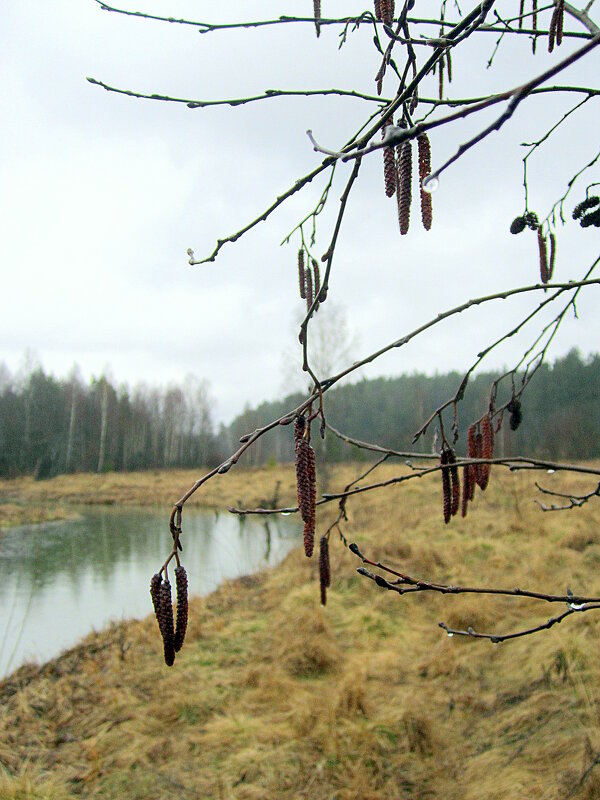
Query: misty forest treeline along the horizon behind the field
(50,426)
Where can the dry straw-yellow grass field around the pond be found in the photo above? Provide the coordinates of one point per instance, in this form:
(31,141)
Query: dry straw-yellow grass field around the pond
(274,697)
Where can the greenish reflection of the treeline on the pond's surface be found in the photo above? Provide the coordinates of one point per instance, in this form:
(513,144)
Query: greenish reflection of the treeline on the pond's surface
(106,539)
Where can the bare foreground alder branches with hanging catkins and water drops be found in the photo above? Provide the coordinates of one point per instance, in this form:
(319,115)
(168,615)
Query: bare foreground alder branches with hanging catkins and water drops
(408,49)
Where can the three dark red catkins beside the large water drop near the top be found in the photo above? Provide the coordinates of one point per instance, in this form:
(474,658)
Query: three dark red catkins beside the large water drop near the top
(397,174)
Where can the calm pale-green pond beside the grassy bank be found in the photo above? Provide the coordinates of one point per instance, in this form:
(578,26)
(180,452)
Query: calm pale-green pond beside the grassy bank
(59,581)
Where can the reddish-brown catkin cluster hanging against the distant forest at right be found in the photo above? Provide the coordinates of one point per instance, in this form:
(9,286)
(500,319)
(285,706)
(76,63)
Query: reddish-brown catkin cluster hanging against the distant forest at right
(480,444)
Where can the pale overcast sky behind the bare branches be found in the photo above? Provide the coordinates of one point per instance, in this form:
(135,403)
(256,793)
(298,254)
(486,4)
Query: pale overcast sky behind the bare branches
(102,194)
